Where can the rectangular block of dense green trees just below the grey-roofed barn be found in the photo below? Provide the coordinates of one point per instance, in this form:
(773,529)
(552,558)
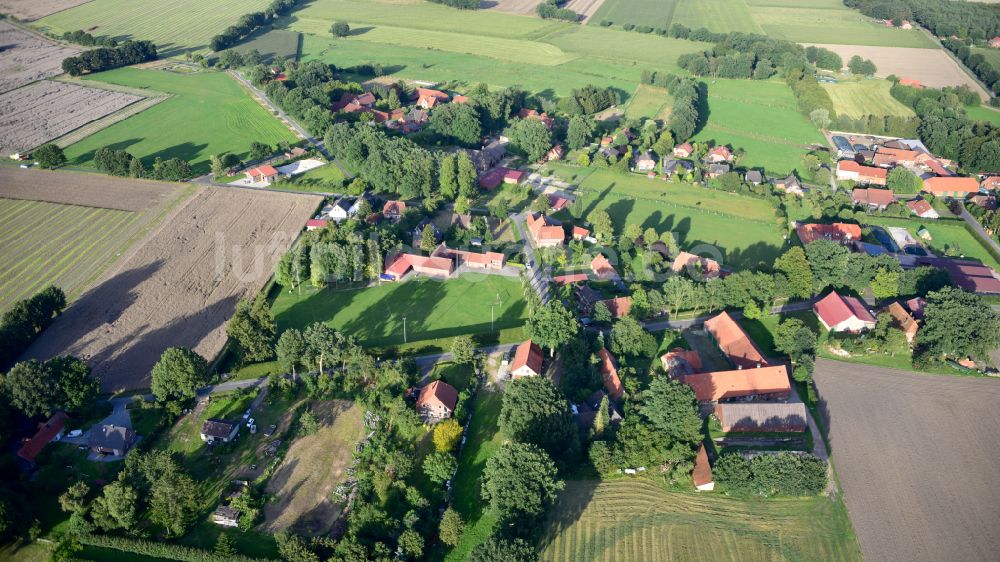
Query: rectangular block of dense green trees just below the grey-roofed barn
(767,475)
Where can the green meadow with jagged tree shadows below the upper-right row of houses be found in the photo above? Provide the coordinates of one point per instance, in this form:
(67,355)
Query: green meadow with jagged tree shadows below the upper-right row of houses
(742,228)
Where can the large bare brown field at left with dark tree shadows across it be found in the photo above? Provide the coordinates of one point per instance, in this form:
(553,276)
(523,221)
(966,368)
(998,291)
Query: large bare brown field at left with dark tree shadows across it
(178,288)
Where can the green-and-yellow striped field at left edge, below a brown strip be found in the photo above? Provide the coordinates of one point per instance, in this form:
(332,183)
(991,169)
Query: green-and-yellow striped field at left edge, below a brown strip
(81,243)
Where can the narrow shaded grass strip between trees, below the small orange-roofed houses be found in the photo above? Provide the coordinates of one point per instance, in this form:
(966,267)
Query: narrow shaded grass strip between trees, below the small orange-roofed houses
(483,442)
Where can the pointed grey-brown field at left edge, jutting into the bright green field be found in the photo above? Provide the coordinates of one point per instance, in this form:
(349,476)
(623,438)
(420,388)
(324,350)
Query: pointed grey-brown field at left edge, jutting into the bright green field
(37,113)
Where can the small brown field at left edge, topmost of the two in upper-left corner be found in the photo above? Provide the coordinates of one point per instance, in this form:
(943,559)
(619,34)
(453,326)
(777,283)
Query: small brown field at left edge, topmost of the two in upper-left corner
(26,57)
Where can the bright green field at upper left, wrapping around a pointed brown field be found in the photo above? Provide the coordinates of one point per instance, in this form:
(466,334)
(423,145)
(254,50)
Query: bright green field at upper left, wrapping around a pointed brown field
(207,113)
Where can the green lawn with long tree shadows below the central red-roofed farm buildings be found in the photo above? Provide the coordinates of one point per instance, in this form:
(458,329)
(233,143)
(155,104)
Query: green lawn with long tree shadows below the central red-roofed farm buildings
(433,309)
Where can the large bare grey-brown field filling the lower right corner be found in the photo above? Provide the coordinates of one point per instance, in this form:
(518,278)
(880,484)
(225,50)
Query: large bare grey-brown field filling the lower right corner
(916,456)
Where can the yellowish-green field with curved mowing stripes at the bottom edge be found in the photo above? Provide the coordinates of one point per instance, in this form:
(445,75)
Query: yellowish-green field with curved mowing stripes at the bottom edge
(637,521)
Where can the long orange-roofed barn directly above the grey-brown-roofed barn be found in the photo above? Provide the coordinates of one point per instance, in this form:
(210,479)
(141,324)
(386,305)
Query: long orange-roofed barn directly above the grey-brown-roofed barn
(769,381)
